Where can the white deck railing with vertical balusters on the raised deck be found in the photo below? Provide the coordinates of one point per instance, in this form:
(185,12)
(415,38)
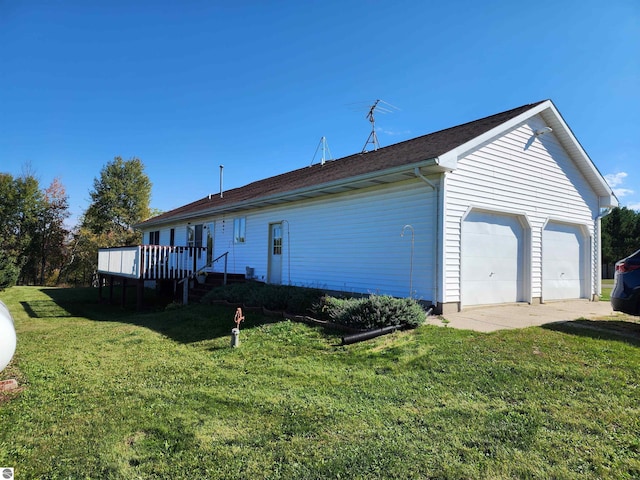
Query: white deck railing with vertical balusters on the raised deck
(151,262)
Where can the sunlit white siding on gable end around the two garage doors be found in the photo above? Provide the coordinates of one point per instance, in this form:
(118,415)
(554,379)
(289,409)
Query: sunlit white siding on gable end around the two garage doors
(517,173)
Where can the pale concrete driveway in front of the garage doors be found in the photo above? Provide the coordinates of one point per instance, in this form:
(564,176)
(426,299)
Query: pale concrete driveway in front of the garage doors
(521,315)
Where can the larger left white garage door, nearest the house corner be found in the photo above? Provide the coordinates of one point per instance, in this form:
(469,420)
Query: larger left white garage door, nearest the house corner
(492,260)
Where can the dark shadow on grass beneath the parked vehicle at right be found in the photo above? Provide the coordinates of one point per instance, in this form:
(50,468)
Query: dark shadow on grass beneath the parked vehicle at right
(628,332)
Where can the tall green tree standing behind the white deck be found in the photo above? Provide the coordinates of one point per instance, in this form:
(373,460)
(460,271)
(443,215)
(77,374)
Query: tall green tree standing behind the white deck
(119,199)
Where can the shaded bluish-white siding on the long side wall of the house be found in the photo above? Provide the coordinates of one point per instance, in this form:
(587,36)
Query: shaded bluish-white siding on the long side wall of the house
(348,242)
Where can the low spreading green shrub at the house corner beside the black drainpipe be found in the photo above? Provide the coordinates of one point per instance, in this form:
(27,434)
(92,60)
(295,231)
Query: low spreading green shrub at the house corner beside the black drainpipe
(376,311)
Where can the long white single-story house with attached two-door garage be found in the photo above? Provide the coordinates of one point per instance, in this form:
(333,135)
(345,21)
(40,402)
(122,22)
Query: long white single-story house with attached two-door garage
(502,209)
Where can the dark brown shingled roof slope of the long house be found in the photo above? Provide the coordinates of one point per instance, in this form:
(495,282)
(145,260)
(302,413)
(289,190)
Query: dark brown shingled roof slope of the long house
(400,154)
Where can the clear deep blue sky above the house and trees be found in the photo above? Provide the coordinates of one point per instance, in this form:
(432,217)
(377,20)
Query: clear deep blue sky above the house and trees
(253,85)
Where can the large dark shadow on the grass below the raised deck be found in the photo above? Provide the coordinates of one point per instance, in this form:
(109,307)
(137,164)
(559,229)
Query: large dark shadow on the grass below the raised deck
(184,324)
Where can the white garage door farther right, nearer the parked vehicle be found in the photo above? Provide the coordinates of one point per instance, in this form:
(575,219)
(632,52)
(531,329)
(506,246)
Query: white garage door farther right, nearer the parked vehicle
(563,262)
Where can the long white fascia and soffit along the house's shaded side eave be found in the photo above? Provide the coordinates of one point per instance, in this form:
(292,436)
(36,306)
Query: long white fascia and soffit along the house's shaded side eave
(283,196)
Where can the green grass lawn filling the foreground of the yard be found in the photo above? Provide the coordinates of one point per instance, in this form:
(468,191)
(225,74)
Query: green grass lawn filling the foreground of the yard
(114,394)
